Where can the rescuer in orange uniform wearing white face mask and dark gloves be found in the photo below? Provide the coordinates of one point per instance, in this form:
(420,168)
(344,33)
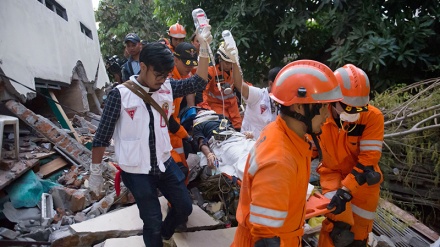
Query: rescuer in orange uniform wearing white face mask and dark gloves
(350,176)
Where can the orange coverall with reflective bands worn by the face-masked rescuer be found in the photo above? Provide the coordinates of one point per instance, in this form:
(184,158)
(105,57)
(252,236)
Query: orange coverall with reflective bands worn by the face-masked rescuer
(360,142)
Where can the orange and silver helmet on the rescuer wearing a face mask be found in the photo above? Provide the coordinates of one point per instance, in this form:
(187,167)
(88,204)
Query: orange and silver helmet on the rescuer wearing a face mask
(354,84)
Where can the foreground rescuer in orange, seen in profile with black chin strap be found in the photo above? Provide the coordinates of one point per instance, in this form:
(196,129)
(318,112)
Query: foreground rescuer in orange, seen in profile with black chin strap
(272,206)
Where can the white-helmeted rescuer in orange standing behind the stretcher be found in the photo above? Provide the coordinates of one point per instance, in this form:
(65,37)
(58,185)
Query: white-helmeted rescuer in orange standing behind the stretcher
(219,93)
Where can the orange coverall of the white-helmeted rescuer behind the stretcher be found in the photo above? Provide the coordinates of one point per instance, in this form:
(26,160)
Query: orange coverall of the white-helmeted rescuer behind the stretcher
(213,97)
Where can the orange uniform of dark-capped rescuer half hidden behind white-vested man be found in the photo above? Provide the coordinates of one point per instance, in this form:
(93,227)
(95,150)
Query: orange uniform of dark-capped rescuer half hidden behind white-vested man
(178,153)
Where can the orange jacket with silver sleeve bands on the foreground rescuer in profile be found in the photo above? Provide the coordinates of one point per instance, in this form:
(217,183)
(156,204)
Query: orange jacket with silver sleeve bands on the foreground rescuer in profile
(274,187)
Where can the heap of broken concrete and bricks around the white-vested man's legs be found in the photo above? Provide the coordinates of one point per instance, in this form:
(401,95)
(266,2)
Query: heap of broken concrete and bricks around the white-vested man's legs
(67,213)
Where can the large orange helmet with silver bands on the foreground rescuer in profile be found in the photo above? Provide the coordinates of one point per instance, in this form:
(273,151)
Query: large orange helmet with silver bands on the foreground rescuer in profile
(305,82)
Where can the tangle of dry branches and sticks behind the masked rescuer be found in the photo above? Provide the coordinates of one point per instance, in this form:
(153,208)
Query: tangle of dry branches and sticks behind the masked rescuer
(411,153)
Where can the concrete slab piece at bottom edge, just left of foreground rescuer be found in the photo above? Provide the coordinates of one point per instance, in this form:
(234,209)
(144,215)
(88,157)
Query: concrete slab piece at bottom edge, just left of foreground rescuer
(214,238)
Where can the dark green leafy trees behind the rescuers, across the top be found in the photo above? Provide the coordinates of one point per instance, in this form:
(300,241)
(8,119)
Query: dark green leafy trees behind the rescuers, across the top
(393,41)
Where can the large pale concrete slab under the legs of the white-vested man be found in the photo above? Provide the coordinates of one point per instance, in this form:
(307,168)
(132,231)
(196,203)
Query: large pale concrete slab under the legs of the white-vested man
(122,223)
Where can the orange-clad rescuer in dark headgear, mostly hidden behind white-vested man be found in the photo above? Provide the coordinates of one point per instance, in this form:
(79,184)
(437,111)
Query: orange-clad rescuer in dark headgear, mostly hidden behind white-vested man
(185,58)
